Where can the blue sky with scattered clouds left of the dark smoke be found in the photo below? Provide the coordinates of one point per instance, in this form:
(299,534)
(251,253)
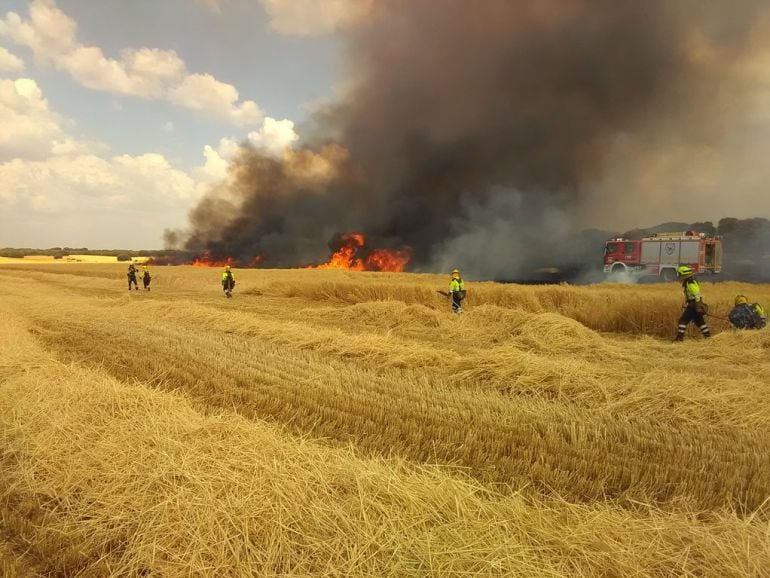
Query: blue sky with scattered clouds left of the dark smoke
(118,115)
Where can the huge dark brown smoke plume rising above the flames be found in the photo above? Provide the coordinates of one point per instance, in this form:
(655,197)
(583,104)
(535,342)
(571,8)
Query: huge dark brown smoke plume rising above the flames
(481,134)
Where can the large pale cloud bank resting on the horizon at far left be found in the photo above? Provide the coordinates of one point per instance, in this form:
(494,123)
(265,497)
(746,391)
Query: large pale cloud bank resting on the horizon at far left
(57,190)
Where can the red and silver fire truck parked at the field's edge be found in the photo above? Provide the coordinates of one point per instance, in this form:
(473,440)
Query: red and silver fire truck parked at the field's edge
(661,254)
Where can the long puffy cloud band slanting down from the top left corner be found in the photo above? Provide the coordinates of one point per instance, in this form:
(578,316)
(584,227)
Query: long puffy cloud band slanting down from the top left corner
(145,72)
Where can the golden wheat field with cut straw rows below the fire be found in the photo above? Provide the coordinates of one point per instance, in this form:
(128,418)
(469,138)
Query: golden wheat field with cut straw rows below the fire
(330,423)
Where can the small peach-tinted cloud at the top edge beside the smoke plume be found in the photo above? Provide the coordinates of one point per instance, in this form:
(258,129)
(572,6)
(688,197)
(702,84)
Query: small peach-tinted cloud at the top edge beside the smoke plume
(313,17)
